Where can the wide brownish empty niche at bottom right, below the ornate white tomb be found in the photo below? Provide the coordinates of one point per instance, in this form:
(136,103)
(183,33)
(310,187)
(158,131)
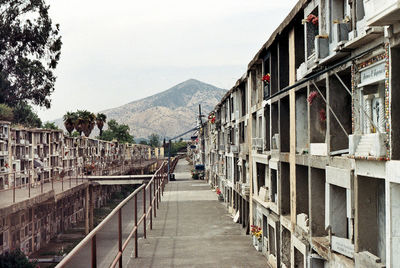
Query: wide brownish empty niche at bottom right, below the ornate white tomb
(371,216)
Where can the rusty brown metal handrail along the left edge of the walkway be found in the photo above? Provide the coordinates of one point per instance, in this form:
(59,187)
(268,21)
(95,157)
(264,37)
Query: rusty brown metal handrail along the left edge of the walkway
(158,181)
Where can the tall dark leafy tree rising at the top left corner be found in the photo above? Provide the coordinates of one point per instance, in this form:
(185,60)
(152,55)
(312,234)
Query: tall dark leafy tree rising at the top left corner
(30,48)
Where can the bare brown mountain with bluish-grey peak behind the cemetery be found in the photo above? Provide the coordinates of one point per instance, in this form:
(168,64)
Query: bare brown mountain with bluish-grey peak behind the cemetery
(168,113)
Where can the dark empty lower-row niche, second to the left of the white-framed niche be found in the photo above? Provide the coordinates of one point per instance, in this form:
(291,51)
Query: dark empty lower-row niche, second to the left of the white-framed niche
(301,189)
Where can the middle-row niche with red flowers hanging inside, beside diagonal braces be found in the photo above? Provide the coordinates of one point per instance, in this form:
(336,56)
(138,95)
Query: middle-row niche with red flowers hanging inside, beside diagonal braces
(317,113)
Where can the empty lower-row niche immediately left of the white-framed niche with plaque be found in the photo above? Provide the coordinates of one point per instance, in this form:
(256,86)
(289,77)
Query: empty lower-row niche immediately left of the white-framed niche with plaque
(317,202)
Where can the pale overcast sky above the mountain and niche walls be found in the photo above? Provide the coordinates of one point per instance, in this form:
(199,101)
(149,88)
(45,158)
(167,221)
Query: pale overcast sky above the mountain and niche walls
(116,53)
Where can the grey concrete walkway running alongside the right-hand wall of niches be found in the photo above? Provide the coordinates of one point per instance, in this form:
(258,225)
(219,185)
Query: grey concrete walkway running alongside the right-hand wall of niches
(193,229)
